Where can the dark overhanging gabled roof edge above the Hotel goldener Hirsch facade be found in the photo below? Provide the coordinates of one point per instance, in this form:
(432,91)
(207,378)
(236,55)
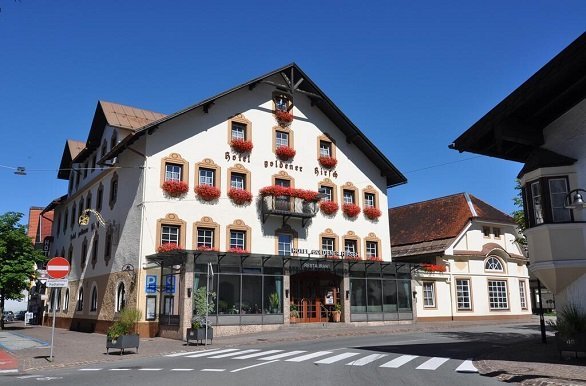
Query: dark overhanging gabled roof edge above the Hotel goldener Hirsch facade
(296,82)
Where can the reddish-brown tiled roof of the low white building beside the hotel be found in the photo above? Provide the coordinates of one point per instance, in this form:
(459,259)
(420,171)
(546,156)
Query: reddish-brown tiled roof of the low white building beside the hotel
(431,226)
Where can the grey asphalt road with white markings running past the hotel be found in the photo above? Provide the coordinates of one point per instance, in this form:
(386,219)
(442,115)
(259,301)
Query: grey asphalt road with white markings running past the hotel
(398,359)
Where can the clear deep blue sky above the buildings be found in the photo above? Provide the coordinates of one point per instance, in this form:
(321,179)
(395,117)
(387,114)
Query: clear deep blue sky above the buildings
(412,75)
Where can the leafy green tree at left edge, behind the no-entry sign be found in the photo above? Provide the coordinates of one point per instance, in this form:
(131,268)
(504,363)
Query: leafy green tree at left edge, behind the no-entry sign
(18,259)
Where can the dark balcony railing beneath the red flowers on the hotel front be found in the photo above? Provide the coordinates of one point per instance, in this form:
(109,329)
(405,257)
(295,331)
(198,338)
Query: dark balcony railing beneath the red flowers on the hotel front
(288,207)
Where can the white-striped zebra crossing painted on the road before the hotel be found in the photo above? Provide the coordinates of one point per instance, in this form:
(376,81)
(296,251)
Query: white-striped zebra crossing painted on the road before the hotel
(349,358)
